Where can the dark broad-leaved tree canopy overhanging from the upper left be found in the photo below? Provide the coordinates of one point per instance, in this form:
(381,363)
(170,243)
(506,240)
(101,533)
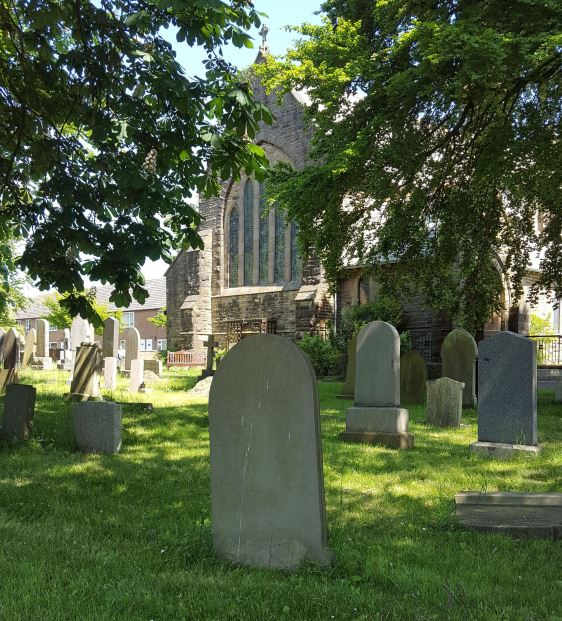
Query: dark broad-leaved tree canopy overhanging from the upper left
(104,138)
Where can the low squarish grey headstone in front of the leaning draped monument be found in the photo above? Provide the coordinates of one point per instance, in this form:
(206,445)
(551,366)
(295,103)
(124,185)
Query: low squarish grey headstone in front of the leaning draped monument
(97,426)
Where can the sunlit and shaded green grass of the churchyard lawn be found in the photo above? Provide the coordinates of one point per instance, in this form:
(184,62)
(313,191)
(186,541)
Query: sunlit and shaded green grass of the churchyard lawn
(128,537)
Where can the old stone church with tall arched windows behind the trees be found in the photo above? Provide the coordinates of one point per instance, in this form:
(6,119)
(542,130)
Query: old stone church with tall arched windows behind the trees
(250,278)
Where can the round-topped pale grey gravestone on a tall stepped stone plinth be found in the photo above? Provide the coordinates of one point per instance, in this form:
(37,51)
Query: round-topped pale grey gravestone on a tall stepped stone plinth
(376,416)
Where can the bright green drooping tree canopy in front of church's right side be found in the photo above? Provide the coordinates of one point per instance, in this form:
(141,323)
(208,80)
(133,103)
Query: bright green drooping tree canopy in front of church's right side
(436,145)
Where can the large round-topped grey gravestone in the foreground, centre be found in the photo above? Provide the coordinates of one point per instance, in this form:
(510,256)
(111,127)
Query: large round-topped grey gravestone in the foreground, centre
(267,486)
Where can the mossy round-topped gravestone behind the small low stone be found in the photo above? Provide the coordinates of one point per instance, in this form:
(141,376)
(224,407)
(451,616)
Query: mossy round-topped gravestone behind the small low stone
(458,355)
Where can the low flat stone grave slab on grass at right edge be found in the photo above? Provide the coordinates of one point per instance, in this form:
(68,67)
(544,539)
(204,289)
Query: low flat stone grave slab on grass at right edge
(516,514)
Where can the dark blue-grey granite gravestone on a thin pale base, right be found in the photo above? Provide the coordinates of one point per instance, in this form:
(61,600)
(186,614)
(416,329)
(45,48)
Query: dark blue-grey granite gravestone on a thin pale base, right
(507,395)
